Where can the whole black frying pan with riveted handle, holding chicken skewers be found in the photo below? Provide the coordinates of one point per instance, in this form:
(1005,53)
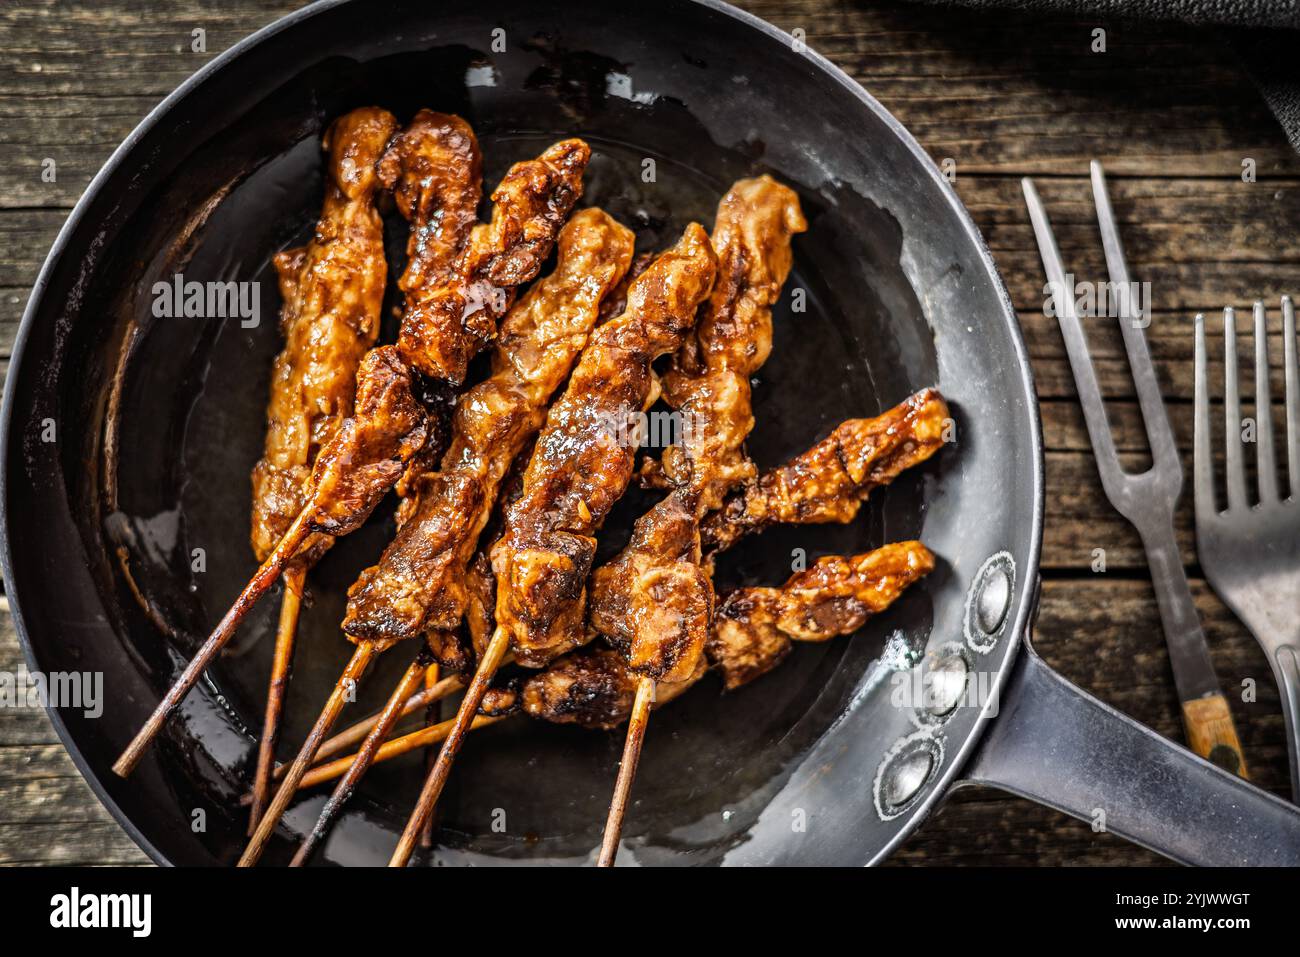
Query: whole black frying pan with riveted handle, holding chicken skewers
(830,760)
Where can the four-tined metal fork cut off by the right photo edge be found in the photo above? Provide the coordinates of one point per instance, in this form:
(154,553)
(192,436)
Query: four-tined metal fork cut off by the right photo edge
(1251,553)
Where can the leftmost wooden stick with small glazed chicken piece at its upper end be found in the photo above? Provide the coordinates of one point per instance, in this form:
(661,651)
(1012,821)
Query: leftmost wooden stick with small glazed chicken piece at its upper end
(353,473)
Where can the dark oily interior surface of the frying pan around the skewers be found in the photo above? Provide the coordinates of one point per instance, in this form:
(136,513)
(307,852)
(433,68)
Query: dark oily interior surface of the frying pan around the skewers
(174,417)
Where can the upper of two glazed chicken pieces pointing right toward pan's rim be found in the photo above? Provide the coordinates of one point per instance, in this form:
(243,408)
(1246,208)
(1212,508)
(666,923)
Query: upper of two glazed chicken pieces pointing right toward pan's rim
(831,480)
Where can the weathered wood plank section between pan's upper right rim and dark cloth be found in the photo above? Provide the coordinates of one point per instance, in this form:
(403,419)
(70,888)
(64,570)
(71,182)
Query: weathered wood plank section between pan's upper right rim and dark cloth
(1012,93)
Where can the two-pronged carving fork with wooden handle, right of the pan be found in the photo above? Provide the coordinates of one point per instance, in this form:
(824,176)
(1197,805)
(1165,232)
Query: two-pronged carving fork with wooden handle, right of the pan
(1147,499)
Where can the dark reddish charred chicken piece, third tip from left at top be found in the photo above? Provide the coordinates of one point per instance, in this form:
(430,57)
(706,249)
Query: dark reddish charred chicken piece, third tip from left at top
(444,330)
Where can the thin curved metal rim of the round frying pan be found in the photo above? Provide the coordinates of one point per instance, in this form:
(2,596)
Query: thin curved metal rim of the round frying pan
(1028,583)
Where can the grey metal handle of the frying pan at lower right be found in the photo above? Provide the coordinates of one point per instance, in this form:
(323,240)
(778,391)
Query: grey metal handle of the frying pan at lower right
(1060,747)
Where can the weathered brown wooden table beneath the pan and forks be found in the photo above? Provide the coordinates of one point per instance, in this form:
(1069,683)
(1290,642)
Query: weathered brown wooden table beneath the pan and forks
(1165,107)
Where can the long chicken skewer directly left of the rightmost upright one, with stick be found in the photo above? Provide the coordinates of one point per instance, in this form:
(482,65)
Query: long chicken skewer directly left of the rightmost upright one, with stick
(580,467)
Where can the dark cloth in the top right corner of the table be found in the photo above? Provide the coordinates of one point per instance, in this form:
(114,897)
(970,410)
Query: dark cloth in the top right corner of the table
(1266,34)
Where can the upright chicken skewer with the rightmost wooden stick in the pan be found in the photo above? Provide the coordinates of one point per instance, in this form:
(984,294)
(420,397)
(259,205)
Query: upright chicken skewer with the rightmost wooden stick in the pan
(656,601)
